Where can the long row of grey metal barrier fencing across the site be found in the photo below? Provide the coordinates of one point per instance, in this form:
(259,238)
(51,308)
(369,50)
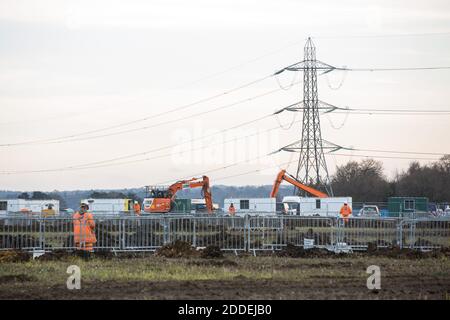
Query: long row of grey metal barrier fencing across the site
(228,233)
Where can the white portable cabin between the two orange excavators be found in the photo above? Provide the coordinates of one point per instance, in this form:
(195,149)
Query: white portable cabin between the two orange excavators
(251,206)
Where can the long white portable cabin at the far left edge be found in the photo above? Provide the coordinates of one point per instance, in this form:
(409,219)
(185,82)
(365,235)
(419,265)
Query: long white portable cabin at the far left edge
(15,206)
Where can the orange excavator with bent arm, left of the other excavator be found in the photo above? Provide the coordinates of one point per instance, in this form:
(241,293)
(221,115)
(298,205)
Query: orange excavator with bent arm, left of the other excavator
(161,200)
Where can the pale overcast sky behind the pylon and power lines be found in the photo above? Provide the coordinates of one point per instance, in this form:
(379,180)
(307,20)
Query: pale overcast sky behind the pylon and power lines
(68,67)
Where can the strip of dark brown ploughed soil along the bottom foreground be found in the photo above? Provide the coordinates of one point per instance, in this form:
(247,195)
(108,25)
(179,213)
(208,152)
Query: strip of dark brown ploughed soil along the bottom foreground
(408,287)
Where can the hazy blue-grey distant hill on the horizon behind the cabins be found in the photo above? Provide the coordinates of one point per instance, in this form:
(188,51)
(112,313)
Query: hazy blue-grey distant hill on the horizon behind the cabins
(219,192)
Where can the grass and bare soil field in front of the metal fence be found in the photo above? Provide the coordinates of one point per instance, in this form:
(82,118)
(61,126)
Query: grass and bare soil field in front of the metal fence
(406,275)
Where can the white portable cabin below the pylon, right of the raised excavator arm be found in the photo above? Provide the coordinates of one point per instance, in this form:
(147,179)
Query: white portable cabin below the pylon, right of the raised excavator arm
(325,207)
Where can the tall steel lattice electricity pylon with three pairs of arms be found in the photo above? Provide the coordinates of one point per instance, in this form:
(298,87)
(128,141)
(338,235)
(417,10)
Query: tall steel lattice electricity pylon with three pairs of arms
(312,167)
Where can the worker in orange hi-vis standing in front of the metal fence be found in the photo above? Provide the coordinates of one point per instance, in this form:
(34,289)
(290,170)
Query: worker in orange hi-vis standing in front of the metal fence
(84,229)
